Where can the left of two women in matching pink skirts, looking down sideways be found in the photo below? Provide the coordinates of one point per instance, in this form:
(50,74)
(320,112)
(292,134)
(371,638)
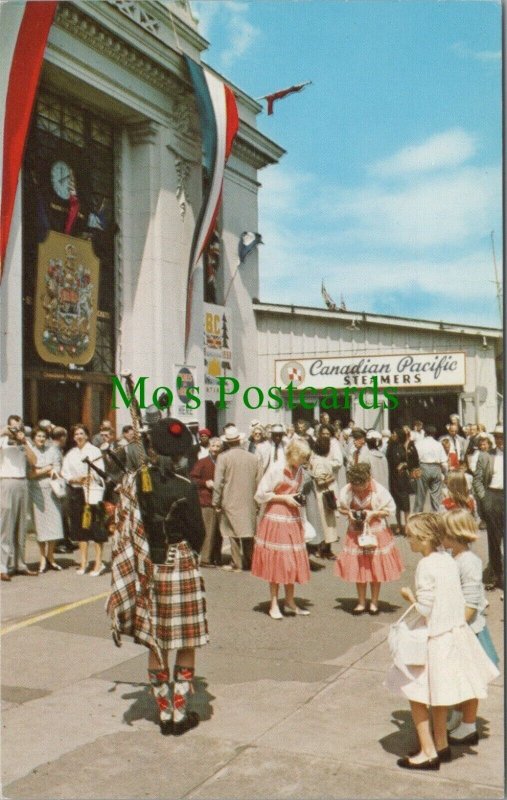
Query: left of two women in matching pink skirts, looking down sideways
(280,552)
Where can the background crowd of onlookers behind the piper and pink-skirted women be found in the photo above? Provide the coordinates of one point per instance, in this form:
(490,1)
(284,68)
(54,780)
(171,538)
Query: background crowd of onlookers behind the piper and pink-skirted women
(45,470)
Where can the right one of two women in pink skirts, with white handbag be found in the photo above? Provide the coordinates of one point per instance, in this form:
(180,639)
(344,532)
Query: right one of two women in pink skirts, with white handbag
(367,503)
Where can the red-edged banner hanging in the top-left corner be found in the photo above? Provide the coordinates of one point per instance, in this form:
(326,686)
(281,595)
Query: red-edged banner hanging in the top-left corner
(24,29)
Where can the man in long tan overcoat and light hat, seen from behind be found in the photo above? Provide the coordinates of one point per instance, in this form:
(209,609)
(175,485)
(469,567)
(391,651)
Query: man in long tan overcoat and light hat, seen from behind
(237,476)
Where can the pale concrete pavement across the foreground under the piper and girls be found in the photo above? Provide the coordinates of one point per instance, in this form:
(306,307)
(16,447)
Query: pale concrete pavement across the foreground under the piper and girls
(273,726)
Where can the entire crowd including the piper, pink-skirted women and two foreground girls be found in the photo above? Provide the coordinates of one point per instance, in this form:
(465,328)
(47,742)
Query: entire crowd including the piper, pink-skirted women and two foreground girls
(283,497)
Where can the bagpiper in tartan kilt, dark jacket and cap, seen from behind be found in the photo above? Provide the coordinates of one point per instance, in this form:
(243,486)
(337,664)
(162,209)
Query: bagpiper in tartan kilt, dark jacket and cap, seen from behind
(170,606)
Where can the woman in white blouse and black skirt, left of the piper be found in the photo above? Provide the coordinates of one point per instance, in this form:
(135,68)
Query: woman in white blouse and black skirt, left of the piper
(84,488)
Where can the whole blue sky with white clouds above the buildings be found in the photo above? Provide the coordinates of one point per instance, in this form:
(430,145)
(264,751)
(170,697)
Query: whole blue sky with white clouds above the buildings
(391,183)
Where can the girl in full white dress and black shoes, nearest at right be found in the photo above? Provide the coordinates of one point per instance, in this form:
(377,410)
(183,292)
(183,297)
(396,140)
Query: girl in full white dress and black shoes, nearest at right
(457,668)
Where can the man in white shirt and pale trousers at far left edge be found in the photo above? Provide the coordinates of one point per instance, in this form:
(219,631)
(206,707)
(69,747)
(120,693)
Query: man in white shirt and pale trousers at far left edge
(15,455)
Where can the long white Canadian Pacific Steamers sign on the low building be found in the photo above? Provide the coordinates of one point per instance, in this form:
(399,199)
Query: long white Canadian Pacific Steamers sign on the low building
(402,370)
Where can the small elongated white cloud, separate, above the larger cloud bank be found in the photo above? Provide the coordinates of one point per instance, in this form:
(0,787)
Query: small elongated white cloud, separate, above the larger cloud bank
(448,149)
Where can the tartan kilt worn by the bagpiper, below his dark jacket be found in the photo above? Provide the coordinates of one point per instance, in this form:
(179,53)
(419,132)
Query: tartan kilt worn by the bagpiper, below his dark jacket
(178,601)
